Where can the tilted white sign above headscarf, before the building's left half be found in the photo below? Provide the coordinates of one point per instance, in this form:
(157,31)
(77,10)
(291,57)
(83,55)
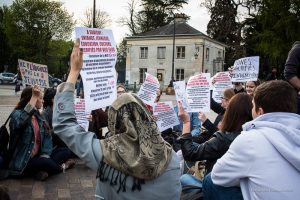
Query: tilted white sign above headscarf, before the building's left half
(148,90)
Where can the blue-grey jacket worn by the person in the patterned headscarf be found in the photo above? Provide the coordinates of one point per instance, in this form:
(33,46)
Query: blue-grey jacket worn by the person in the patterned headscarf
(88,148)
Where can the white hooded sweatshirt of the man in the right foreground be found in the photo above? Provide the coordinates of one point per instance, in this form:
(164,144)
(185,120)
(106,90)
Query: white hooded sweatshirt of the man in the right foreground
(264,160)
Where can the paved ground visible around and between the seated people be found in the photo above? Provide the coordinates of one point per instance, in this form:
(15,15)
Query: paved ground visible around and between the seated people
(77,183)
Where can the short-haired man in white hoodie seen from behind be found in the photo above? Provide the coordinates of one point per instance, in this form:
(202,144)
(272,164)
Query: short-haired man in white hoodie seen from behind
(268,146)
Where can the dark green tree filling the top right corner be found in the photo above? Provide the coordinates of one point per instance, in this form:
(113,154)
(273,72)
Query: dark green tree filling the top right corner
(277,28)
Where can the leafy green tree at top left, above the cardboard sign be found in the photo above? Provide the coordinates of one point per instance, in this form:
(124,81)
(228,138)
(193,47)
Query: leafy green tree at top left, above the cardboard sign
(32,24)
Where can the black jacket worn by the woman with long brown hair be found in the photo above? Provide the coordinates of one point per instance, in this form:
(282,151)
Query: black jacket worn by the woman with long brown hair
(210,150)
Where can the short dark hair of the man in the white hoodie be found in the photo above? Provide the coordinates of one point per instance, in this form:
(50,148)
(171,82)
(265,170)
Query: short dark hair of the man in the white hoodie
(275,96)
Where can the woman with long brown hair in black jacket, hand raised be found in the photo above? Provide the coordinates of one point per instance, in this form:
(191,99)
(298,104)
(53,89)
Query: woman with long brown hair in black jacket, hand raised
(237,113)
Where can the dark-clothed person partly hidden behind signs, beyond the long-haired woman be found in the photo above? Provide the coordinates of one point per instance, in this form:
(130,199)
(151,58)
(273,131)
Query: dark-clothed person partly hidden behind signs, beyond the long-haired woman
(220,110)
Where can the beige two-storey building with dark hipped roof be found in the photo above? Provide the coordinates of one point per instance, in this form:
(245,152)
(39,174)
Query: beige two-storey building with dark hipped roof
(152,52)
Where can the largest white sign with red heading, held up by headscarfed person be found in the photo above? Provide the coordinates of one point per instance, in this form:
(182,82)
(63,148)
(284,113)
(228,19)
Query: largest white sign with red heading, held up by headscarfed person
(98,71)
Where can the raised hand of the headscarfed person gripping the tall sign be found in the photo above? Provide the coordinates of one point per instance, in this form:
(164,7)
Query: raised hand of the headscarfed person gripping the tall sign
(76,62)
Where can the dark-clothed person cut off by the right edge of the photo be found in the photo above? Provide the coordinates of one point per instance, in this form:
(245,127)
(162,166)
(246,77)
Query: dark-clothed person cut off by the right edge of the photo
(292,69)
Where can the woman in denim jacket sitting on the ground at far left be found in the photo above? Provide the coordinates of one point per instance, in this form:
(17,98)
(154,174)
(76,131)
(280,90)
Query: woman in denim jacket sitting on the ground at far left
(33,153)
